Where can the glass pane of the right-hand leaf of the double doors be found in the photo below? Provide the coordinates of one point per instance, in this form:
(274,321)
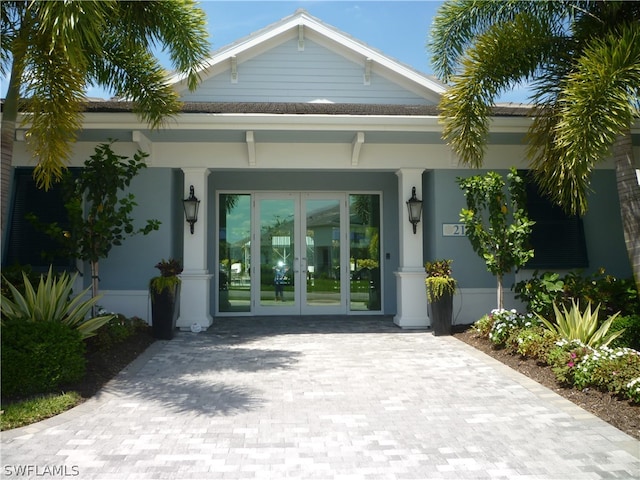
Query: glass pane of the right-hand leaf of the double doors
(322,260)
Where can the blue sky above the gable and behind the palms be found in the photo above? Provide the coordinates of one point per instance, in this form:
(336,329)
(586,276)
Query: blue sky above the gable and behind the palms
(399,29)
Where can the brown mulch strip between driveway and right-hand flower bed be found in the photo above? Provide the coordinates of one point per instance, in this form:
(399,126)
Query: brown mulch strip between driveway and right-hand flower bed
(619,412)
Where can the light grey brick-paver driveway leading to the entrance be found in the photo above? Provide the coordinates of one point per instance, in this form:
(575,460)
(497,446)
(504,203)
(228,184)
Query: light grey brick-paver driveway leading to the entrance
(347,398)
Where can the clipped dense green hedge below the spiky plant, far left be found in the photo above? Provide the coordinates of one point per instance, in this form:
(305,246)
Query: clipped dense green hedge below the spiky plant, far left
(37,357)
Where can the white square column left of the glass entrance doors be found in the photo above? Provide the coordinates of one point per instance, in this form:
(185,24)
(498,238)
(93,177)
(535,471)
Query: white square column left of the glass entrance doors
(195,289)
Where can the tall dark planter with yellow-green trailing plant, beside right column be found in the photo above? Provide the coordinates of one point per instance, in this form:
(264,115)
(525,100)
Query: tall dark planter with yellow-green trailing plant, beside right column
(440,289)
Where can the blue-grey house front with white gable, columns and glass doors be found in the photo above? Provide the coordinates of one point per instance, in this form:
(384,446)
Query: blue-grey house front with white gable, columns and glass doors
(303,146)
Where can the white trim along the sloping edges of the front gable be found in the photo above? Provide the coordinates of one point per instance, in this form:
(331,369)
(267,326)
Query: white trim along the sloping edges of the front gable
(302,25)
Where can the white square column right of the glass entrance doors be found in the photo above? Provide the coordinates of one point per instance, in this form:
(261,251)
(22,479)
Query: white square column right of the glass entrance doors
(410,277)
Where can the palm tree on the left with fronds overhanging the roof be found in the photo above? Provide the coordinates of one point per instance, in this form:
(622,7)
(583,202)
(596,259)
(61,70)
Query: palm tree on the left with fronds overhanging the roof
(52,51)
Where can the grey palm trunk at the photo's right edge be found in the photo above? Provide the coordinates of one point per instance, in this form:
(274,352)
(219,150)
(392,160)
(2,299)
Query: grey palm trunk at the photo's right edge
(629,196)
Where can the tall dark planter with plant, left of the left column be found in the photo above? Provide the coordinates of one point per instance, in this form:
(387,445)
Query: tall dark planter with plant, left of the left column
(165,298)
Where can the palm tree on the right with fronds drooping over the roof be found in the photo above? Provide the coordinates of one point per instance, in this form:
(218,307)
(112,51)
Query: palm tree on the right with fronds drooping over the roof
(582,59)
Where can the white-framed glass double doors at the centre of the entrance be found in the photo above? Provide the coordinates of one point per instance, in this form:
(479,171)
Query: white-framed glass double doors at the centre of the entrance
(301,241)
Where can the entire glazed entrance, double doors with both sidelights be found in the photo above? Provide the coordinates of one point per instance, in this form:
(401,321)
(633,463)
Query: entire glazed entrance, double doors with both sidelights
(303,253)
